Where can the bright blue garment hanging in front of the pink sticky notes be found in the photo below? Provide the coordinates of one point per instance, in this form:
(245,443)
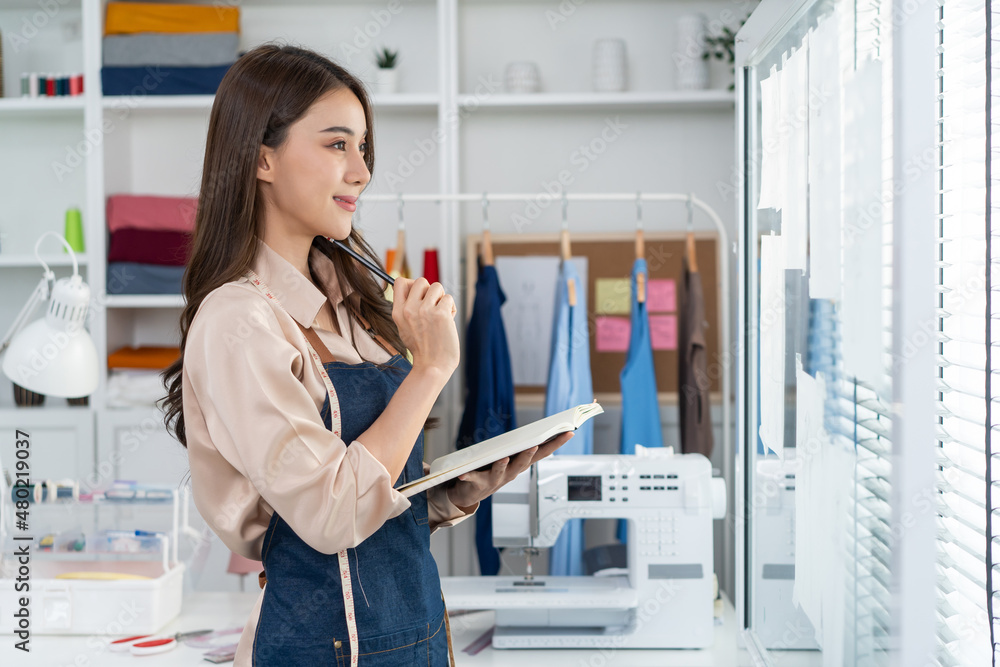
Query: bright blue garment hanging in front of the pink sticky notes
(640,404)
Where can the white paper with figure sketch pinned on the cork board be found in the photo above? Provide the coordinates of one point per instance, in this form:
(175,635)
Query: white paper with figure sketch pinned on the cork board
(530,286)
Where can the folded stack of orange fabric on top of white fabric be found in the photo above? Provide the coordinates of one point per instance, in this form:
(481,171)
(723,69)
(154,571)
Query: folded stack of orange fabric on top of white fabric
(135,375)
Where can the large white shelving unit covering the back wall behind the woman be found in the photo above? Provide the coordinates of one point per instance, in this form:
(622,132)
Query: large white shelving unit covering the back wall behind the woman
(450,129)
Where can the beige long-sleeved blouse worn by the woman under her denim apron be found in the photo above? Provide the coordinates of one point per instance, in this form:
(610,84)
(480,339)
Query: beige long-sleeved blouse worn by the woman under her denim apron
(256,442)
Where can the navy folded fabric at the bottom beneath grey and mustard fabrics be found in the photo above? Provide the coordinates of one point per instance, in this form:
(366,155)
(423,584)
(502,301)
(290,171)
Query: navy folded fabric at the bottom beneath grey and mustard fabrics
(161,80)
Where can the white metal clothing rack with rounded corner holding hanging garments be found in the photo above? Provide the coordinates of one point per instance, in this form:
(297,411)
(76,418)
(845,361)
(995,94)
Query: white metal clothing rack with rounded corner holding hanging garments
(689,199)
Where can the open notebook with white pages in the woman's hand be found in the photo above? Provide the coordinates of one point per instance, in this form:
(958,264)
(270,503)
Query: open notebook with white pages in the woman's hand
(486,452)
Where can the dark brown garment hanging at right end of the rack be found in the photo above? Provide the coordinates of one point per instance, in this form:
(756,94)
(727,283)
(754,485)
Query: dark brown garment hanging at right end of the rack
(693,403)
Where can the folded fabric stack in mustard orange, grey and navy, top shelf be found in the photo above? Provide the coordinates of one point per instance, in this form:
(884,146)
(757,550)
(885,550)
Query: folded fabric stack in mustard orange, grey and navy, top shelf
(168,49)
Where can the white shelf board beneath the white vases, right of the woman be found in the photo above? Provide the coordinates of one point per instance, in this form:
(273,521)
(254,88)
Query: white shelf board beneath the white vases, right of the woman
(673,100)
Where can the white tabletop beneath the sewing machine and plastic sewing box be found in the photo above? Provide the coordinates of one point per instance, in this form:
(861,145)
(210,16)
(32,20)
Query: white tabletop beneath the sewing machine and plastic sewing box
(224,610)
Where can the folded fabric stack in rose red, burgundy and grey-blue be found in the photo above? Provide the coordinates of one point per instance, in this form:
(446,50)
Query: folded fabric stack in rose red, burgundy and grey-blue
(149,243)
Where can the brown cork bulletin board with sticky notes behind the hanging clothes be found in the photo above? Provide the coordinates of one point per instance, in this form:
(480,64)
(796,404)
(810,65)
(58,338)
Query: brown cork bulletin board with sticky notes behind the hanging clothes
(609,257)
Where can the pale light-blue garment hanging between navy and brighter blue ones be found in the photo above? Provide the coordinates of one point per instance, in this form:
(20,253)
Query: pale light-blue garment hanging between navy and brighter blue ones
(570,385)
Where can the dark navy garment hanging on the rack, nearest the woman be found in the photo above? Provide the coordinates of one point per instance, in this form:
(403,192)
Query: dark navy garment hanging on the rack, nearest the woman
(489,401)
